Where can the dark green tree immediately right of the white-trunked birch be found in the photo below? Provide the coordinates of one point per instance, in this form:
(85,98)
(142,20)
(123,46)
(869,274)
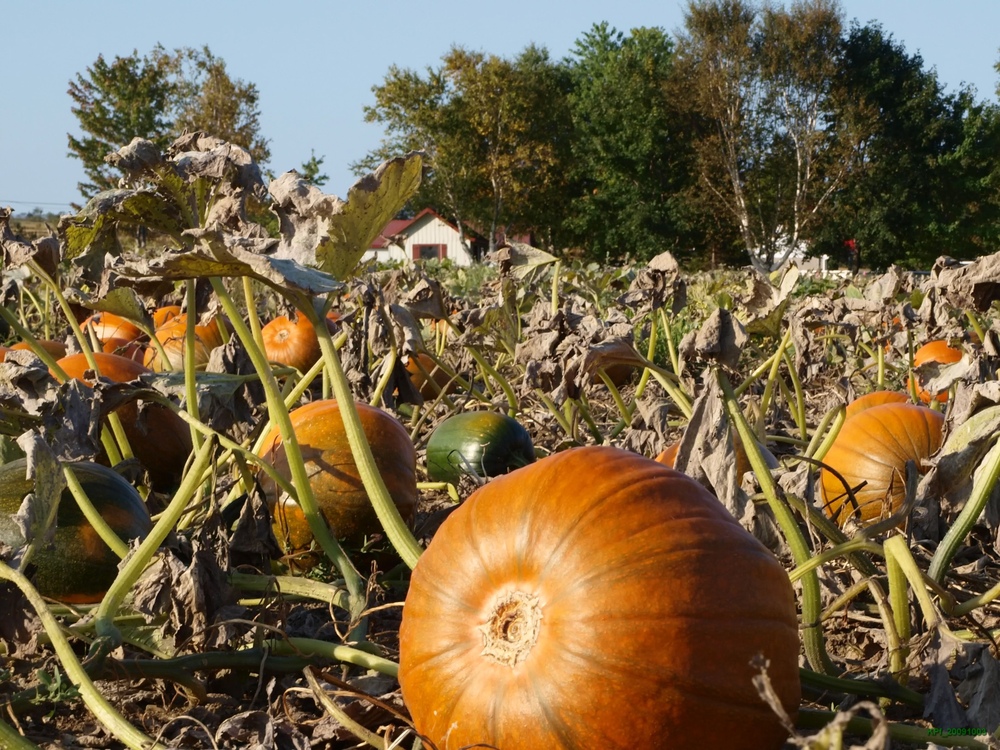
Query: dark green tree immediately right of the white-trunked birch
(919,185)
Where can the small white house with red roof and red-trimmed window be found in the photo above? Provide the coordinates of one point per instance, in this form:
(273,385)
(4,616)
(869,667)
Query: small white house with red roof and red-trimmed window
(424,237)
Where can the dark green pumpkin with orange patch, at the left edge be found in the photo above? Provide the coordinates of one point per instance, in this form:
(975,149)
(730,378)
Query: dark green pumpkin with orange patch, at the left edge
(77,567)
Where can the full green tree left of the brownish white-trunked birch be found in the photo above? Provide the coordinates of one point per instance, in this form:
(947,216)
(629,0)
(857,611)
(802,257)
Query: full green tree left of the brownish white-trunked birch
(631,162)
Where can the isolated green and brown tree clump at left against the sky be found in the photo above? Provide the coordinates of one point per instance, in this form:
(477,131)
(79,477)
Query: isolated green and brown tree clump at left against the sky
(158,97)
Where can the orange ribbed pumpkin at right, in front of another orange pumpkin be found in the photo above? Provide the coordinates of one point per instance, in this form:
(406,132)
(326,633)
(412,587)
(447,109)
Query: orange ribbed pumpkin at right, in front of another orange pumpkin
(874,446)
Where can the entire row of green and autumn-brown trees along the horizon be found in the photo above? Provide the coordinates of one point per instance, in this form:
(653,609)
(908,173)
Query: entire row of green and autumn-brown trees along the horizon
(755,131)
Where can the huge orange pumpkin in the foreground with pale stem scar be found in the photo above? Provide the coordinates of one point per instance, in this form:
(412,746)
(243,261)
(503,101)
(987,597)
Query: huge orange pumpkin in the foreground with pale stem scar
(653,601)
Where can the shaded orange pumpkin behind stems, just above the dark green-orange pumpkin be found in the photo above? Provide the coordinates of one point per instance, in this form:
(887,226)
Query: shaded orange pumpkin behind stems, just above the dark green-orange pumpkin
(160,440)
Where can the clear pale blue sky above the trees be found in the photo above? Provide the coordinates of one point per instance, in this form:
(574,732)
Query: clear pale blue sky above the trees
(315,63)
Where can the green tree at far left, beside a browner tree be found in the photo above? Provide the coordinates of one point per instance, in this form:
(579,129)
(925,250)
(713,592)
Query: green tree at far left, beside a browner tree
(114,103)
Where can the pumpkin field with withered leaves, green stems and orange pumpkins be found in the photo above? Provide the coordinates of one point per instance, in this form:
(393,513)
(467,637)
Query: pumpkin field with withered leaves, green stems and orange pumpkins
(258,493)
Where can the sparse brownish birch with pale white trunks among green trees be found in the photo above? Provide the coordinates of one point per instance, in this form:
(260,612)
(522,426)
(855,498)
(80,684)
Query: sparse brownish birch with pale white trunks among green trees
(757,84)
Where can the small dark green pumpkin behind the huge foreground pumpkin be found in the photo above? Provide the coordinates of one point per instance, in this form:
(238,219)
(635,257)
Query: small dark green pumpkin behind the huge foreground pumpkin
(480,443)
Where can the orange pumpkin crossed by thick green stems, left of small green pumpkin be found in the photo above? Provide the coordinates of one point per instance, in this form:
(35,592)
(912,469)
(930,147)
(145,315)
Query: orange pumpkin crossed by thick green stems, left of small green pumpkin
(334,476)
